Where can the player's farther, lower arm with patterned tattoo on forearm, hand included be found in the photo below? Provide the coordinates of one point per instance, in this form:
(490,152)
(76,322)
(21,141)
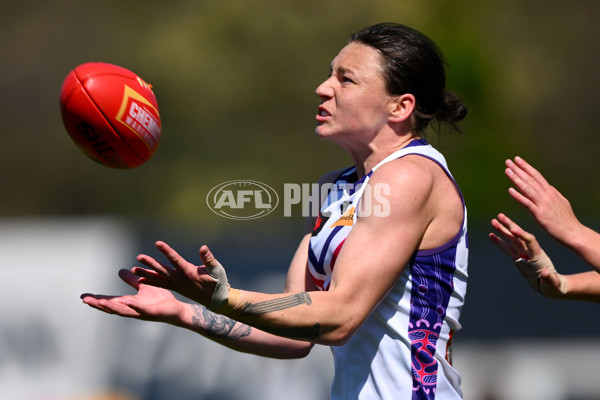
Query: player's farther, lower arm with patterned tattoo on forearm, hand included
(156,303)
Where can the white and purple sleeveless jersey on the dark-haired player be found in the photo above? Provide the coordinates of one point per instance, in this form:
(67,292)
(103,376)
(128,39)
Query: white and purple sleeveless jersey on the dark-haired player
(402,350)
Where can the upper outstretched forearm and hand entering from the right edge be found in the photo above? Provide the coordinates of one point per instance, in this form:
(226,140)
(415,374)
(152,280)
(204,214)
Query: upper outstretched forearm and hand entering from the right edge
(552,211)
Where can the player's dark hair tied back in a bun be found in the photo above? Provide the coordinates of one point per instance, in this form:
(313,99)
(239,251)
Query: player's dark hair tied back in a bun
(413,63)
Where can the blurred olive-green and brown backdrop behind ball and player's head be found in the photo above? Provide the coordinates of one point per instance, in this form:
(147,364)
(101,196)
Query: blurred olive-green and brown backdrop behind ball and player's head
(235,84)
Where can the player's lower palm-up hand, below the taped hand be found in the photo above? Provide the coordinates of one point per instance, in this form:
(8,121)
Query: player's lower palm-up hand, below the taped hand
(150,303)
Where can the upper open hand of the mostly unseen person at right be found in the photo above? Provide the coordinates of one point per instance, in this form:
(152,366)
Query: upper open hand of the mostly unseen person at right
(547,205)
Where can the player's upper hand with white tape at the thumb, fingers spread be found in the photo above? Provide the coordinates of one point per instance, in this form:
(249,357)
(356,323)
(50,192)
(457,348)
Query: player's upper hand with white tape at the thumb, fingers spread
(197,283)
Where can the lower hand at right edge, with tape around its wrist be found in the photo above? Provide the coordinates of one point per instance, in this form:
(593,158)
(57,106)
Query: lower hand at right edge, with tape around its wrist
(531,260)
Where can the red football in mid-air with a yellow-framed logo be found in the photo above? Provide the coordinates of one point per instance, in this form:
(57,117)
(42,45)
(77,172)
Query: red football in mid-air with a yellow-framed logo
(111,114)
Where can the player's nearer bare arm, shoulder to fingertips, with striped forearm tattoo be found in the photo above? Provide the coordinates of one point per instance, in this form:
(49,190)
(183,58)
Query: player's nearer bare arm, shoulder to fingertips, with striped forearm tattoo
(371,260)
